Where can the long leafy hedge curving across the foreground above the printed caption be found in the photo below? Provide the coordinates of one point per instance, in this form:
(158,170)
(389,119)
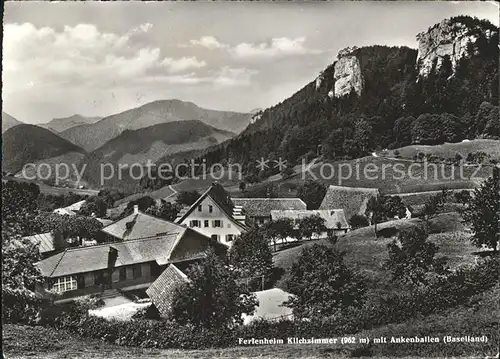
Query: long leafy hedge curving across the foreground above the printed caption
(444,293)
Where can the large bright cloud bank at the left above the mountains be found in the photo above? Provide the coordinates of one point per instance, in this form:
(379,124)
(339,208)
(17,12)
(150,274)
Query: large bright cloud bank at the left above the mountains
(82,55)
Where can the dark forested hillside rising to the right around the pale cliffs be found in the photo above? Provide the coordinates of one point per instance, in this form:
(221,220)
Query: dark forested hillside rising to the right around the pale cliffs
(396,107)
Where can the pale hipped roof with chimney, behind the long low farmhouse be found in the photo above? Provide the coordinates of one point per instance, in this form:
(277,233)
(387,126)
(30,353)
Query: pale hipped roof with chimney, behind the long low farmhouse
(142,226)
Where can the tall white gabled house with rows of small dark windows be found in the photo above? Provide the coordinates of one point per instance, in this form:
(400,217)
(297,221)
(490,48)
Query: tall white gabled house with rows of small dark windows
(214,214)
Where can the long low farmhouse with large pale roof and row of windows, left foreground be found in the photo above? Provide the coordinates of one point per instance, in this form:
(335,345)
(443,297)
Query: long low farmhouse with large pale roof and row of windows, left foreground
(129,264)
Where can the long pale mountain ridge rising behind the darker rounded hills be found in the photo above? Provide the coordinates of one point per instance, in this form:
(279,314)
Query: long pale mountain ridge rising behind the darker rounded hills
(92,136)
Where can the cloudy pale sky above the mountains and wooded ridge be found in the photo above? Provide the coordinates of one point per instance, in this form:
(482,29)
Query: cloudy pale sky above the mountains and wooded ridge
(101,58)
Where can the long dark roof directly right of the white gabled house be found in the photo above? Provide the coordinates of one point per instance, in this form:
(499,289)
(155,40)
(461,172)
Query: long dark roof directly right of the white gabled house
(262,207)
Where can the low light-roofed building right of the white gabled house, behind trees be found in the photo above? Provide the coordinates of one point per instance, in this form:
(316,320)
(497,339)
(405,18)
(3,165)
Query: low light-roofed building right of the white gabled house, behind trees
(335,220)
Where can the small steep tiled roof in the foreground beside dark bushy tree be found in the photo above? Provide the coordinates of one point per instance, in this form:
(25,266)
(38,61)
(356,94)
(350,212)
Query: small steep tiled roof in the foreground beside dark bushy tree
(162,290)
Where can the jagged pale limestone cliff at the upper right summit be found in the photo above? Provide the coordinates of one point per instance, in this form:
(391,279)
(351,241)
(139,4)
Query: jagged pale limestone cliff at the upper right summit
(450,38)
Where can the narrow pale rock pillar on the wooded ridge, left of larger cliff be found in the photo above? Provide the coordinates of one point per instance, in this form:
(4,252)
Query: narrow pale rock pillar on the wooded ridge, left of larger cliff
(348,76)
